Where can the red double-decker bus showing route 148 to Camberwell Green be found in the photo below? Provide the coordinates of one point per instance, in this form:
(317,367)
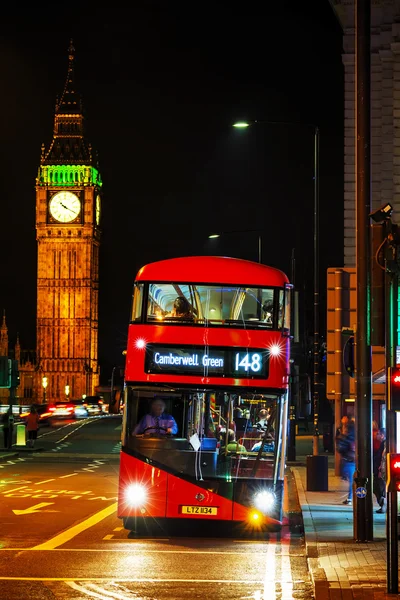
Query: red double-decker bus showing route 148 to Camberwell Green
(206,395)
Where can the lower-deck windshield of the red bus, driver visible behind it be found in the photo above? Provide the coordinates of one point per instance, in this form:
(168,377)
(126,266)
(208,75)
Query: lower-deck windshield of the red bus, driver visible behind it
(196,435)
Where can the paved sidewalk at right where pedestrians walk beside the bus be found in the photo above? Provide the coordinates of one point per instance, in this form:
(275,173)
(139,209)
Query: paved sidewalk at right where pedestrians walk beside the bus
(340,567)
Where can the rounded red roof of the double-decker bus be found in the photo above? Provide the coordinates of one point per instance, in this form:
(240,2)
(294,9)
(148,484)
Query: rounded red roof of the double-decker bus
(212,269)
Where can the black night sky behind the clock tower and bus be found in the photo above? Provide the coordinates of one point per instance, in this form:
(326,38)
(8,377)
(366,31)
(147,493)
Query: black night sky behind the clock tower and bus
(161,86)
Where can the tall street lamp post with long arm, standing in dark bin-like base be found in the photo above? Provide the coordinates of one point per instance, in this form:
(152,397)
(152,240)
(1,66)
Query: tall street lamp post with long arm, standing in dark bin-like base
(317,471)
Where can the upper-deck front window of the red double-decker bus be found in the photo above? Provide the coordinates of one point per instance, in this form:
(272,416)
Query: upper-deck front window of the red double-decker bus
(224,305)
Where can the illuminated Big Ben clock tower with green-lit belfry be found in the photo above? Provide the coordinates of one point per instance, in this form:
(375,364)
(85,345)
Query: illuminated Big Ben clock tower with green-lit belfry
(68,205)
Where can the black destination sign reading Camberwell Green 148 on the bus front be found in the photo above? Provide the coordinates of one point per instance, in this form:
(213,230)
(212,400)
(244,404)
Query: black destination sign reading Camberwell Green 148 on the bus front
(207,361)
